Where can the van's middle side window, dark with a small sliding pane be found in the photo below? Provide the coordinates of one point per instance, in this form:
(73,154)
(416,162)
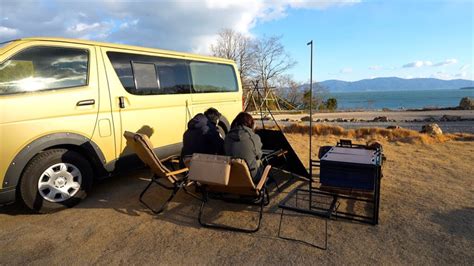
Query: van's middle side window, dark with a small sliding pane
(170,76)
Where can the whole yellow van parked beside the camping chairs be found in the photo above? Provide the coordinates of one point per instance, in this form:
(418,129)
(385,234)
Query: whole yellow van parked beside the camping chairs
(64,105)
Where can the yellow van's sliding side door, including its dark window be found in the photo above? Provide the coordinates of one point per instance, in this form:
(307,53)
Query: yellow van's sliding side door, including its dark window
(150,94)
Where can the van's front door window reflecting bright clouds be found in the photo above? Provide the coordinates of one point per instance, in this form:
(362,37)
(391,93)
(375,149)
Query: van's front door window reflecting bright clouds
(44,68)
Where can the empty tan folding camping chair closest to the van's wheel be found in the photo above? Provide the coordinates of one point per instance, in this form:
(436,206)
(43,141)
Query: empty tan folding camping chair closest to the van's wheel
(144,149)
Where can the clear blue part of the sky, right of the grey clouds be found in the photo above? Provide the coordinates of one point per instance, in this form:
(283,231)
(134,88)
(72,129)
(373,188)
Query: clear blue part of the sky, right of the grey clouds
(377,38)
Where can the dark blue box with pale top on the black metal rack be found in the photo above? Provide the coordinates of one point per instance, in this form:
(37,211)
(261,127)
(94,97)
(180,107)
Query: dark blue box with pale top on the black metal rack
(353,168)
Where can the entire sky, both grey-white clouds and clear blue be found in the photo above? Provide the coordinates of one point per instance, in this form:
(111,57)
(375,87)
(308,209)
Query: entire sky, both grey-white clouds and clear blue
(353,39)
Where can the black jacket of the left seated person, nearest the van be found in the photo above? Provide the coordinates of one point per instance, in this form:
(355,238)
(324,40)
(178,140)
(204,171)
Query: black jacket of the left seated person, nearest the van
(201,137)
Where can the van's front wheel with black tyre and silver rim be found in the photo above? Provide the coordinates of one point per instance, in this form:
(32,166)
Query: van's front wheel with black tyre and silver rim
(55,179)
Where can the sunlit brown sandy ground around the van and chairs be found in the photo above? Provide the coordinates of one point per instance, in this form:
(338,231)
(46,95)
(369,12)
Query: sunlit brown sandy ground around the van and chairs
(426,216)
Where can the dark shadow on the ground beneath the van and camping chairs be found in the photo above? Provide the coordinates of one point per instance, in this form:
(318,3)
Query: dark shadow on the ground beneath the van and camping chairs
(121,193)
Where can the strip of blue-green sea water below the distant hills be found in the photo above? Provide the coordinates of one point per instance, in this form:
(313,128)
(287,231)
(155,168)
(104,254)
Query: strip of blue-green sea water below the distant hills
(396,100)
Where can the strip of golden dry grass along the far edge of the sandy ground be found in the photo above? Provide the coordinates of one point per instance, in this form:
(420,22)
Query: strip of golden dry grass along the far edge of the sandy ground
(392,135)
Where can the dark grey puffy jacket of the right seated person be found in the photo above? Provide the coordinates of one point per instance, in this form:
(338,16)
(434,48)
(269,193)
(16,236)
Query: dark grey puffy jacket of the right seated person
(241,142)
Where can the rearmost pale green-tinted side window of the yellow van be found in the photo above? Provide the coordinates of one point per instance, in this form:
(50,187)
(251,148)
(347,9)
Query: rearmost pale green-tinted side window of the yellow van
(212,77)
